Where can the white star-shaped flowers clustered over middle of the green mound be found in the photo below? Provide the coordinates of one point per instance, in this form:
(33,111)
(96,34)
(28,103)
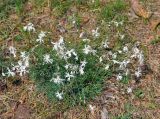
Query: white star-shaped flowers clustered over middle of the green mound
(69,56)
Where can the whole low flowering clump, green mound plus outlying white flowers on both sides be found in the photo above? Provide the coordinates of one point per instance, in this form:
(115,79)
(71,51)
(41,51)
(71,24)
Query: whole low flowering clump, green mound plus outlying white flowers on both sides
(73,73)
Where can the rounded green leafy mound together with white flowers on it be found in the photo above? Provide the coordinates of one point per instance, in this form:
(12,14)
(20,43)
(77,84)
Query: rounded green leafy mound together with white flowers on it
(67,73)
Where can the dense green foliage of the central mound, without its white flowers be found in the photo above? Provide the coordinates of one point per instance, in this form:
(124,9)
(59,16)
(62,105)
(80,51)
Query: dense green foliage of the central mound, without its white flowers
(78,90)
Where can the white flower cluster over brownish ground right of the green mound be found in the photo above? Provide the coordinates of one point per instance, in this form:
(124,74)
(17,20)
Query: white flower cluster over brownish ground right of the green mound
(123,68)
